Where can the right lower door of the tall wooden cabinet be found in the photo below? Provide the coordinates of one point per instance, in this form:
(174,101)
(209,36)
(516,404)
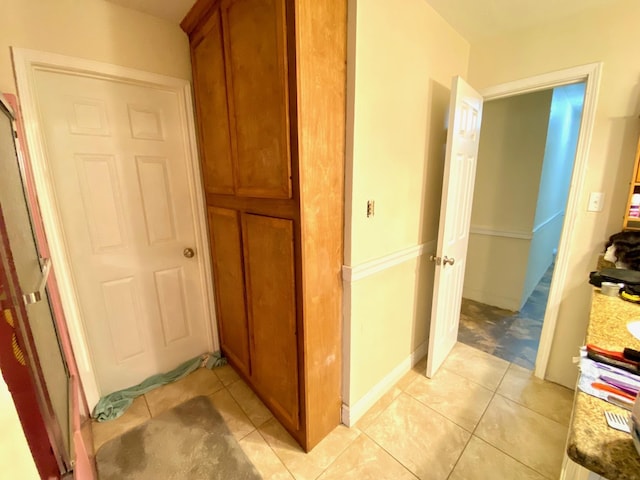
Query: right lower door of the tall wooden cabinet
(269,264)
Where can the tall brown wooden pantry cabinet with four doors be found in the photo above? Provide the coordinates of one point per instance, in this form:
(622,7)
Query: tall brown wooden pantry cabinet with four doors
(269,79)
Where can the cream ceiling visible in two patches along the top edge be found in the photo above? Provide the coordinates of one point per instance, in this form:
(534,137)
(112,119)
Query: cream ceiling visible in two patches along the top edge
(474,19)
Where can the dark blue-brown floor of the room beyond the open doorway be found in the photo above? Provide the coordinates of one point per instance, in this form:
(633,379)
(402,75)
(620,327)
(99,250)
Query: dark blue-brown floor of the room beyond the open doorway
(512,336)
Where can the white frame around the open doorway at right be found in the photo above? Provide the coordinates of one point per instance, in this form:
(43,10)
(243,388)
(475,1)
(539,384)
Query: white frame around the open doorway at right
(590,74)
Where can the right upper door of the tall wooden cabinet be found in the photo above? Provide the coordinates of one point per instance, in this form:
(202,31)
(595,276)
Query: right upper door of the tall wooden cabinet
(256,69)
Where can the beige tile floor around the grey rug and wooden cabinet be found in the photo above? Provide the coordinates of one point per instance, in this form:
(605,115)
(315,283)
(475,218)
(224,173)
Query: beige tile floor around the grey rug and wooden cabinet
(480,418)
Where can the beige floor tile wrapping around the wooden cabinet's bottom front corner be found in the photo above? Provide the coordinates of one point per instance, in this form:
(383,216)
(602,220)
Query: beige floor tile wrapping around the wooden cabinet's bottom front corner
(307,466)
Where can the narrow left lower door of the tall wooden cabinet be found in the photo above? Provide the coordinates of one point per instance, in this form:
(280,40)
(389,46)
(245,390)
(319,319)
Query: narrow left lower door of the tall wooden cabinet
(226,244)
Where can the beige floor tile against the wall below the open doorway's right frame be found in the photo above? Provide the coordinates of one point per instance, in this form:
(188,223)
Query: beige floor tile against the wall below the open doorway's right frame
(549,399)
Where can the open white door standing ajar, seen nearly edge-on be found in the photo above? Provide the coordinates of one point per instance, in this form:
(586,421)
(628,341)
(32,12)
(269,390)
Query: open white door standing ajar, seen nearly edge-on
(463,136)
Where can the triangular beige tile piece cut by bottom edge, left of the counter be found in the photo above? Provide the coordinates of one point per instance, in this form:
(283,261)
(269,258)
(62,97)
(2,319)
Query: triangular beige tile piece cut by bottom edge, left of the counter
(481,461)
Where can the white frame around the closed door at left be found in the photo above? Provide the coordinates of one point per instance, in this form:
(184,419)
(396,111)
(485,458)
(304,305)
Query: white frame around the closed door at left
(26,62)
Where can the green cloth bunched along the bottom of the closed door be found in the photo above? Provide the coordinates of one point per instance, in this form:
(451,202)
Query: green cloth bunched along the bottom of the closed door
(115,404)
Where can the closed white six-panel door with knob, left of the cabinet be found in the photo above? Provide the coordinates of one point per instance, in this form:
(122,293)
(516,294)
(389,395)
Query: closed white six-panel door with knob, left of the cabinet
(118,157)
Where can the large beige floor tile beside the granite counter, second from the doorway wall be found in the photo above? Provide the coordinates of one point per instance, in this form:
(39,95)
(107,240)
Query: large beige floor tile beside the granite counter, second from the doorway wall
(527,436)
